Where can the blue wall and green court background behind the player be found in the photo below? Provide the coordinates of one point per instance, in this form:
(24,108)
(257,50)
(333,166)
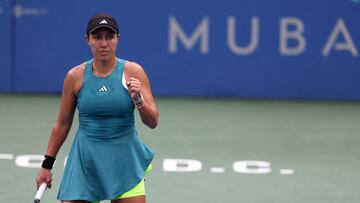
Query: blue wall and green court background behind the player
(258,100)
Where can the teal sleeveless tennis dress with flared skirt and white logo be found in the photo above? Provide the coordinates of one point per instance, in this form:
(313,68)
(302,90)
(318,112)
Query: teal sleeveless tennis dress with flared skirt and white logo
(107,157)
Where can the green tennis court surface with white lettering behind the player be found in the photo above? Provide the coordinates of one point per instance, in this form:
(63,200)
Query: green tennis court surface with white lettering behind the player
(208,150)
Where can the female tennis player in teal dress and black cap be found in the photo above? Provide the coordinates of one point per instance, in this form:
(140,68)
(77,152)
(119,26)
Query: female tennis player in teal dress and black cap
(107,160)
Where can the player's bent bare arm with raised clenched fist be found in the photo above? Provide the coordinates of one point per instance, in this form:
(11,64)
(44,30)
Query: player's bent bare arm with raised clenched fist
(138,82)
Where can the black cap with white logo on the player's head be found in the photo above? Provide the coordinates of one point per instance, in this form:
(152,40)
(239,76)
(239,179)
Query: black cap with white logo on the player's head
(102,20)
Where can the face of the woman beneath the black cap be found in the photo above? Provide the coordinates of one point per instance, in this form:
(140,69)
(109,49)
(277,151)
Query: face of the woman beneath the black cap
(103,43)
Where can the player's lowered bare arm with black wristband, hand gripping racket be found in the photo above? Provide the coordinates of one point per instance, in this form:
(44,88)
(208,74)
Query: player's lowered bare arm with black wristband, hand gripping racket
(62,124)
